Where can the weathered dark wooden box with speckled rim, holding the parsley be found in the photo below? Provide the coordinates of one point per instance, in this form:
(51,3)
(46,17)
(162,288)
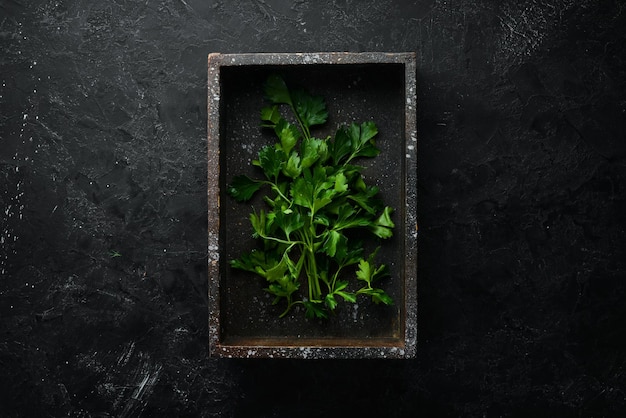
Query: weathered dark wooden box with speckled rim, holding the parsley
(357,87)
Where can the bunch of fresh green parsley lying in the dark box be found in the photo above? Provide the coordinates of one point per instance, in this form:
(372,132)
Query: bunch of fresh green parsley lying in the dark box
(318,206)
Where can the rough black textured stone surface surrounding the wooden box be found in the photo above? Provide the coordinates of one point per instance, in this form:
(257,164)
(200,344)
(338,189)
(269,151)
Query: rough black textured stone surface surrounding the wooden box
(522,209)
